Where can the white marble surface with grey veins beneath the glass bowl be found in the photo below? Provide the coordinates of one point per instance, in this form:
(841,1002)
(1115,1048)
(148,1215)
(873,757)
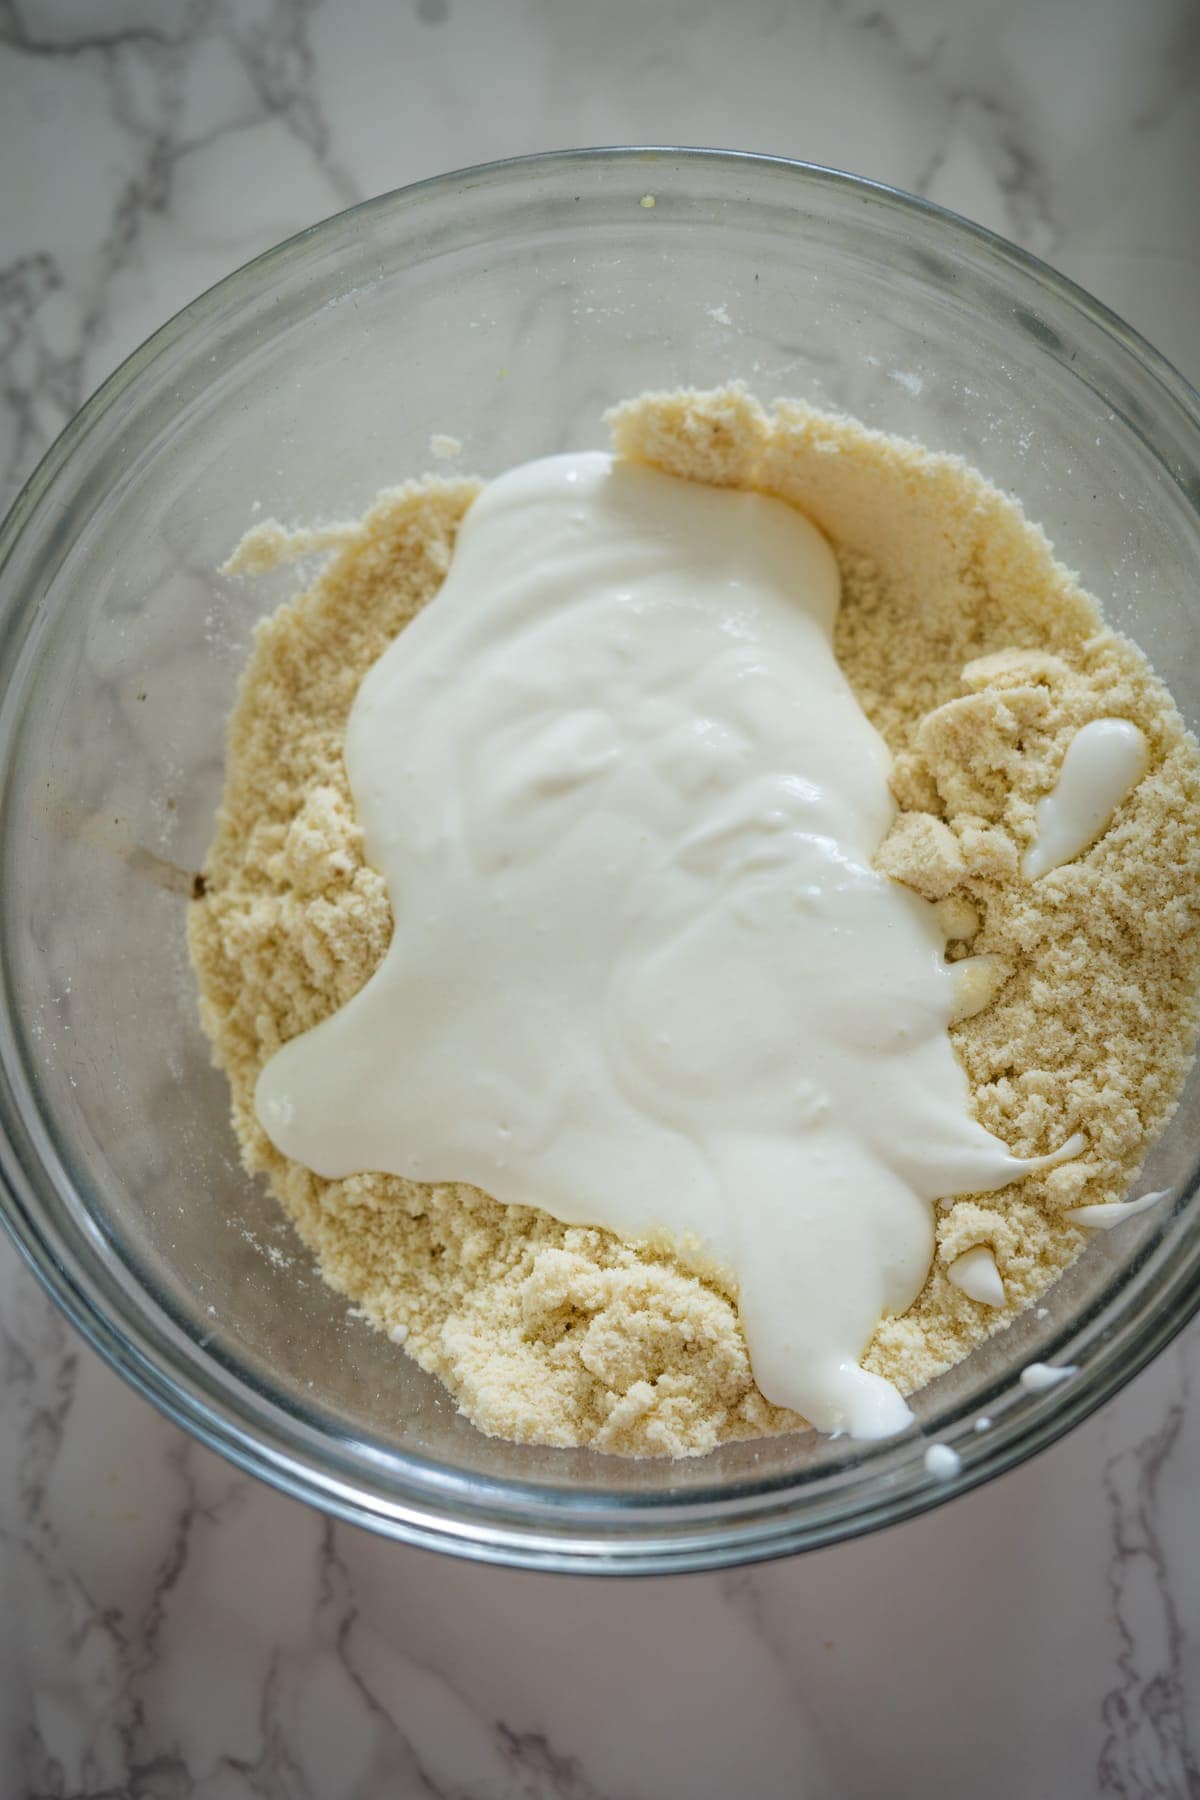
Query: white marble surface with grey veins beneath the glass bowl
(168,1628)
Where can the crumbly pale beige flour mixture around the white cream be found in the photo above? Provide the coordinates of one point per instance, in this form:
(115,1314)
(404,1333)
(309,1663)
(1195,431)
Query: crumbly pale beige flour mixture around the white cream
(978,658)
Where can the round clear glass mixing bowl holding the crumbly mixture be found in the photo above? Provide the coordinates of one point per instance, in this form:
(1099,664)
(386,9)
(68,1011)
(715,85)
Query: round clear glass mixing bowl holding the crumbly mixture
(506,307)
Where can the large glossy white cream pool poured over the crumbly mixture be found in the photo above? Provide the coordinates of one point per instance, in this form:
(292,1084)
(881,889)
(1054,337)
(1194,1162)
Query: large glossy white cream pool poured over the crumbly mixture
(643,971)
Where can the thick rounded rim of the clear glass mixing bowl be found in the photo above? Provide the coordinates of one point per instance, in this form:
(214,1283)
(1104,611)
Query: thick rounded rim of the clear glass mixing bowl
(138,1356)
